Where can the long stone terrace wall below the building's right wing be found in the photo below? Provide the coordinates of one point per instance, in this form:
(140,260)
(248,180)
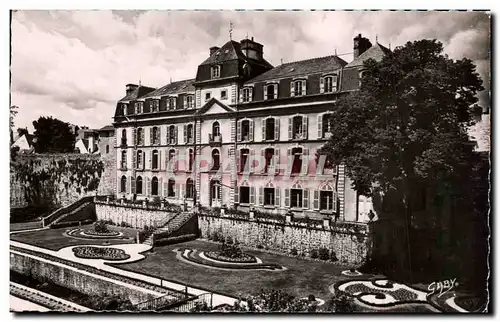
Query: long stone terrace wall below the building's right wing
(348,240)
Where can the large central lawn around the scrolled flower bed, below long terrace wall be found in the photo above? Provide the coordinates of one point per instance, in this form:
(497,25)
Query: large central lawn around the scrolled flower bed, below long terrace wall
(301,278)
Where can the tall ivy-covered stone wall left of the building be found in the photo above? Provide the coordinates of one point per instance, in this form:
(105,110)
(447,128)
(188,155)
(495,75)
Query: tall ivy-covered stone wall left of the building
(54,179)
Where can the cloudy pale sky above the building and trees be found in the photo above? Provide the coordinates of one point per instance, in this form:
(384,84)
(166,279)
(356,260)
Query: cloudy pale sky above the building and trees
(74,65)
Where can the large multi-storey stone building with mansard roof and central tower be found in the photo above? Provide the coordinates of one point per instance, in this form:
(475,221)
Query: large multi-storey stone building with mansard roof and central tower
(241,134)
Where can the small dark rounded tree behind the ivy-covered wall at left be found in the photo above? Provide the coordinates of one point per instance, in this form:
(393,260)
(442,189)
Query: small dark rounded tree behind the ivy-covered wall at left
(53,136)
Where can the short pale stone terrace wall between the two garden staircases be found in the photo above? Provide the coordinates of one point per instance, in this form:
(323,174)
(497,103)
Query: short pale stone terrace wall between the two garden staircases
(137,217)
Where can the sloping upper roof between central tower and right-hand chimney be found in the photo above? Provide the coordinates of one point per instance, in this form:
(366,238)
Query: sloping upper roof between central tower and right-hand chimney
(302,68)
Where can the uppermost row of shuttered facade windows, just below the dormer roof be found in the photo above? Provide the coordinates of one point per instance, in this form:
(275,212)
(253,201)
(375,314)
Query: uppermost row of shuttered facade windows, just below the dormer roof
(297,130)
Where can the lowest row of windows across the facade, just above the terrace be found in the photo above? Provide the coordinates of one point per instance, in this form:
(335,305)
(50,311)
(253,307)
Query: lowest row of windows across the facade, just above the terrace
(296,197)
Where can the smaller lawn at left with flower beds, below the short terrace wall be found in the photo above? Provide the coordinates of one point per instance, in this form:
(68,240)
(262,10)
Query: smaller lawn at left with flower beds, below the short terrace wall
(54,239)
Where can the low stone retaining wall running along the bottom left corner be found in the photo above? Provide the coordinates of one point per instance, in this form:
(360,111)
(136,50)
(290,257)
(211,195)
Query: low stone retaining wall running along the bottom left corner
(75,279)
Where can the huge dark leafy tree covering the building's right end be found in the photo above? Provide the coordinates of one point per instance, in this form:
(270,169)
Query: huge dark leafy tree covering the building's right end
(406,126)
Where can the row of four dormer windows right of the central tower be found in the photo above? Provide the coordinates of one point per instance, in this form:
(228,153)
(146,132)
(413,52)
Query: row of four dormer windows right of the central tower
(327,84)
